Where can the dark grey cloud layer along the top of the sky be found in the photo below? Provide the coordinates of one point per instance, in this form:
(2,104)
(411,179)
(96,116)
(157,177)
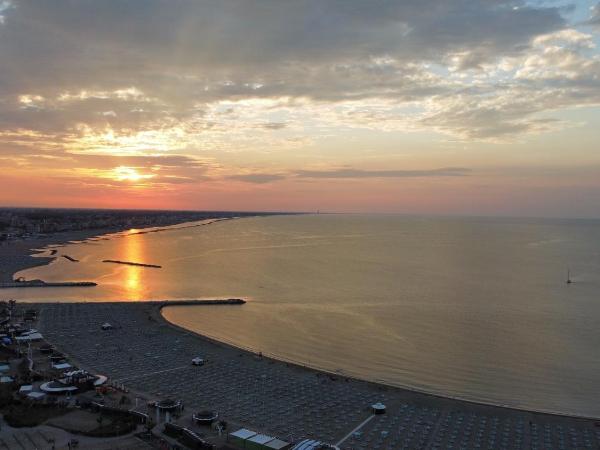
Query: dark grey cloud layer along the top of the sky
(203,50)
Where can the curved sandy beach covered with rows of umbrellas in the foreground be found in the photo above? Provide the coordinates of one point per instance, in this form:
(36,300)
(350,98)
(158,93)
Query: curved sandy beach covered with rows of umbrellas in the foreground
(150,356)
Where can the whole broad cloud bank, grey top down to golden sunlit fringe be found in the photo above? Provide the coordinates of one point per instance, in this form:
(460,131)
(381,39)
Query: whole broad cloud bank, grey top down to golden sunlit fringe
(118,76)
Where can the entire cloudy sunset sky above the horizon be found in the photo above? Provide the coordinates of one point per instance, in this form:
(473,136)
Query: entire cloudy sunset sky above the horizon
(478,107)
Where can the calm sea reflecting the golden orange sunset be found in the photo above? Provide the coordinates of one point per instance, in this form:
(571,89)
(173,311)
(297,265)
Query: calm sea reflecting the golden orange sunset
(472,308)
